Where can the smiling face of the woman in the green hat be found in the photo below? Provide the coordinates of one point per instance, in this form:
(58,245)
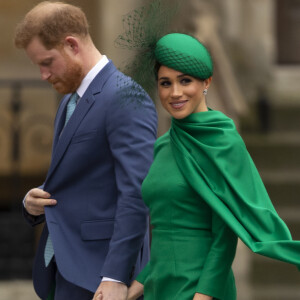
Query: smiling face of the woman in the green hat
(181,94)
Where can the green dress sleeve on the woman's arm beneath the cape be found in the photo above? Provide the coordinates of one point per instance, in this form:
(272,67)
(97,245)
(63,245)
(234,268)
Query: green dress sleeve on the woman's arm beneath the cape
(217,268)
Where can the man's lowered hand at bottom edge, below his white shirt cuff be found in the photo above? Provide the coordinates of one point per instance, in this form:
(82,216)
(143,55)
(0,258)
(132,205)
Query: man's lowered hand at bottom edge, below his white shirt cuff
(109,290)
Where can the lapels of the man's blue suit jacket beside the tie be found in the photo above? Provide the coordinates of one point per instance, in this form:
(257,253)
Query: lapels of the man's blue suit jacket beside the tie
(64,135)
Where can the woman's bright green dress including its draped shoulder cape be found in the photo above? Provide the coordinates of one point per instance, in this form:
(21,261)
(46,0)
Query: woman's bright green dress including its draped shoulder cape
(203,191)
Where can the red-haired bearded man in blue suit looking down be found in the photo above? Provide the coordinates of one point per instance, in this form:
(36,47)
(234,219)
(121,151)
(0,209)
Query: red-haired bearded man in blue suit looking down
(95,236)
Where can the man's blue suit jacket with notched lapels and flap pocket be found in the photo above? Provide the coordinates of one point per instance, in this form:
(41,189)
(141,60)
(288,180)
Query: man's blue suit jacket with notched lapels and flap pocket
(99,160)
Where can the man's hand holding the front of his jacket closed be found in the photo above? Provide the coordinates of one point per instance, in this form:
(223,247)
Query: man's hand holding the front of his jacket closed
(36,200)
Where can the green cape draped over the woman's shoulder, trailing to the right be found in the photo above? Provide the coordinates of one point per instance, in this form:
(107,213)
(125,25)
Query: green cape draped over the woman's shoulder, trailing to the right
(214,160)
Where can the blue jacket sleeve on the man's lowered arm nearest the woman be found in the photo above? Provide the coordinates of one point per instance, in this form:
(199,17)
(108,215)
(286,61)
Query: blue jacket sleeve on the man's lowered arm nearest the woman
(131,131)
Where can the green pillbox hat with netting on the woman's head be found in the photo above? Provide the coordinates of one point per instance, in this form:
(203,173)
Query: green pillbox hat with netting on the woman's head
(185,54)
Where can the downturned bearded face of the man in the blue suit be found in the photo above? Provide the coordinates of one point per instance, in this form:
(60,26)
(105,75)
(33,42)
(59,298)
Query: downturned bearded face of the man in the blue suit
(58,66)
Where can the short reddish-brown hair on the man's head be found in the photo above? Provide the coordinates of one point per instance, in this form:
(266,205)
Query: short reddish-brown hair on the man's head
(51,22)
